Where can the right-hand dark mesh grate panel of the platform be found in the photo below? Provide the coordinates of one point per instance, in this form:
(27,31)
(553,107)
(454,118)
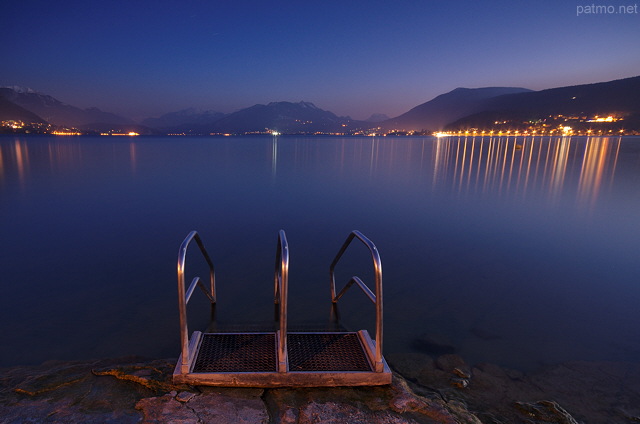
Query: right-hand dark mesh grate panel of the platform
(326,352)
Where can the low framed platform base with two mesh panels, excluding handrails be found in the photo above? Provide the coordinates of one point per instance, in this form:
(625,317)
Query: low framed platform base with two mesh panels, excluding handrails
(251,360)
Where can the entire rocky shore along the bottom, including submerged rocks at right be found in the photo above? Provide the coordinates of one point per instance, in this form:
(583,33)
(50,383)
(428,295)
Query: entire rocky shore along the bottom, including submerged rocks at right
(424,390)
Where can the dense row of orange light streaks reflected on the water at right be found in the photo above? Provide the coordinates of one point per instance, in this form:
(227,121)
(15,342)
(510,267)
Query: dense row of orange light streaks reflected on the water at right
(513,166)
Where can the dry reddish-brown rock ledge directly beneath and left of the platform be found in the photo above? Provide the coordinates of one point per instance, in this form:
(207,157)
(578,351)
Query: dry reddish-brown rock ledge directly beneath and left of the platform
(131,391)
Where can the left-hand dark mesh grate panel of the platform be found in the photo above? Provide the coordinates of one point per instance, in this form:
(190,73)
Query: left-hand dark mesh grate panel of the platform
(247,352)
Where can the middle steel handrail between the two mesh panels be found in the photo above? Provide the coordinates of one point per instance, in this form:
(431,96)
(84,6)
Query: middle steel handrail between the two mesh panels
(281,292)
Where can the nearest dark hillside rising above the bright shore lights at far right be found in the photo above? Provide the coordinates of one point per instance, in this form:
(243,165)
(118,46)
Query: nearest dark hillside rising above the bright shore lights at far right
(613,97)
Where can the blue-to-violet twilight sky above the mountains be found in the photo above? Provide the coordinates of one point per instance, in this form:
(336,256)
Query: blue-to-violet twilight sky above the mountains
(146,58)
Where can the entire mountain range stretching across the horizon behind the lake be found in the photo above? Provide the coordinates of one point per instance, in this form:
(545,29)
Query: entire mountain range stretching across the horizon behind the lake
(458,109)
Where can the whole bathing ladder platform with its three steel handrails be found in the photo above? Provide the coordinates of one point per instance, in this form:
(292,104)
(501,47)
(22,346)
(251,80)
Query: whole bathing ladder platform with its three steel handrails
(280,358)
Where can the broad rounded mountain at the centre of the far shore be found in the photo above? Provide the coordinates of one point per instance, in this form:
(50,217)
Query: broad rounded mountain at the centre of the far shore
(285,117)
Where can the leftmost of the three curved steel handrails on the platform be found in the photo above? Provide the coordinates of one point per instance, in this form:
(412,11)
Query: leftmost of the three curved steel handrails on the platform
(185,296)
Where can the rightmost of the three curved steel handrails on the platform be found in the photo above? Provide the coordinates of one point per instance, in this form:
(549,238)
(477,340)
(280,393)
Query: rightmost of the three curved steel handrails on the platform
(375,298)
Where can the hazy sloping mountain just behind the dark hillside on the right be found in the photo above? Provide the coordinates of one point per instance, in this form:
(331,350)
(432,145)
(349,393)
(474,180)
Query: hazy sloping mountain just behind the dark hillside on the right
(446,108)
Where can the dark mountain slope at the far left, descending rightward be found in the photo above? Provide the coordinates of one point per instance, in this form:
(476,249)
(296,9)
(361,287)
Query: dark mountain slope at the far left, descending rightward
(56,112)
